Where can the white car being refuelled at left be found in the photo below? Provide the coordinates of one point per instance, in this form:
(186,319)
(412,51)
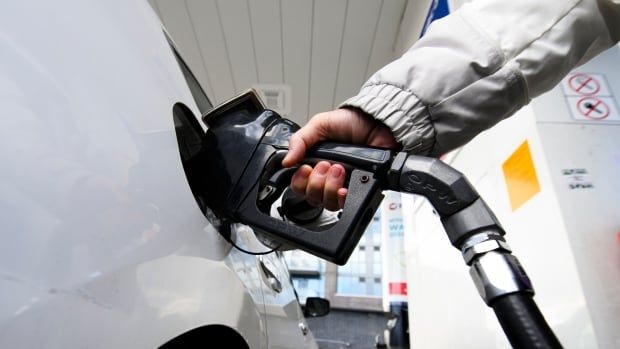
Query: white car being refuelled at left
(103,244)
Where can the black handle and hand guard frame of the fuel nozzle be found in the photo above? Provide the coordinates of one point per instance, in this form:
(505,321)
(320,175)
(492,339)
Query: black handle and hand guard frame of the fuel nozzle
(264,180)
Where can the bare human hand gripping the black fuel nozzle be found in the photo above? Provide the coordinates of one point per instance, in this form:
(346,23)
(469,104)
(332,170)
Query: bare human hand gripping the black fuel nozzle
(323,184)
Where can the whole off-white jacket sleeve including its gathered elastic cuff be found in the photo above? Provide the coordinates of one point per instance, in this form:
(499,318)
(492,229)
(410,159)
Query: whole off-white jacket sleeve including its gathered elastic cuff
(481,64)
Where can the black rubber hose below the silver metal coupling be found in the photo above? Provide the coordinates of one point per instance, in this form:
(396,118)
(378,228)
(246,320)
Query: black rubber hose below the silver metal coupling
(523,323)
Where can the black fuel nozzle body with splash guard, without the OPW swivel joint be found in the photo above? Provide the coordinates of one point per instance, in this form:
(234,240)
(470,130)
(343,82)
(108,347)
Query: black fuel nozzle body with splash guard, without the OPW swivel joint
(245,144)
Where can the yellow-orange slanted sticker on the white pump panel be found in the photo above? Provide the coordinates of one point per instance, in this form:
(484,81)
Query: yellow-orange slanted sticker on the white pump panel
(520,175)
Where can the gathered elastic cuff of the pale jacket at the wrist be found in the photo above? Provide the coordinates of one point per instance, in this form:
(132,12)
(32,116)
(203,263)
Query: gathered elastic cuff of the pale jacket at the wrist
(401,111)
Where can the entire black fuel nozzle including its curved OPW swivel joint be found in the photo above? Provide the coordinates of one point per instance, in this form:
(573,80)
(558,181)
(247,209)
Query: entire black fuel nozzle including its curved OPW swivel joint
(245,144)
